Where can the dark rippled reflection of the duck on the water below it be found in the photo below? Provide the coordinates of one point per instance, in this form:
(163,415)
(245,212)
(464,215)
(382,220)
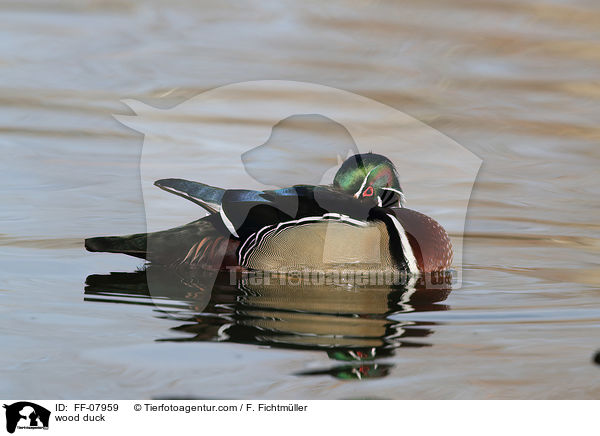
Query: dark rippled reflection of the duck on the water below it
(349,322)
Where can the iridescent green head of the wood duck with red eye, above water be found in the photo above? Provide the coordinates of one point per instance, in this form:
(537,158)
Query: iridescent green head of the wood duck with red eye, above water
(370,176)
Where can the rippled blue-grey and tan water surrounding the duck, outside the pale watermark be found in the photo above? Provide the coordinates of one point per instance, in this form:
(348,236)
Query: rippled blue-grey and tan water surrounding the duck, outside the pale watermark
(516,83)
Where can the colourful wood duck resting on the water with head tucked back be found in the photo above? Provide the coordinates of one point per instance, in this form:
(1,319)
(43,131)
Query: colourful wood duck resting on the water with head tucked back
(359,223)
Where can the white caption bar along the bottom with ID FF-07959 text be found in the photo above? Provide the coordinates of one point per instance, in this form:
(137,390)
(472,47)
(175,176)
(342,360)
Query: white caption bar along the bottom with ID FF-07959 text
(154,417)
